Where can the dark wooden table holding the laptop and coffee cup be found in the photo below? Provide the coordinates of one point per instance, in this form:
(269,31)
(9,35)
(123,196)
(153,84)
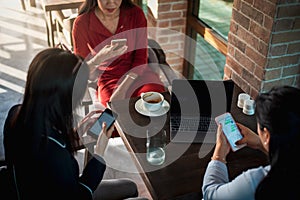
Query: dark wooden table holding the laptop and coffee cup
(182,173)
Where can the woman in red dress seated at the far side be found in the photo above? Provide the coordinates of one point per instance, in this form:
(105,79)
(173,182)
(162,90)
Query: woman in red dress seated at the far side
(100,21)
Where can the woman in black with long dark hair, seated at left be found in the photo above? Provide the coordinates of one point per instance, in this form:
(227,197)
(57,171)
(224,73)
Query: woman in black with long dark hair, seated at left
(40,135)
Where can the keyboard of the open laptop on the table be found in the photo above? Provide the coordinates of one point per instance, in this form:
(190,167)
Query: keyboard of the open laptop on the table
(192,124)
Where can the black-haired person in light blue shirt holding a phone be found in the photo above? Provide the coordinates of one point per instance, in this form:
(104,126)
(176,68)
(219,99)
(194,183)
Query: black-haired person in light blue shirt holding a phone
(278,128)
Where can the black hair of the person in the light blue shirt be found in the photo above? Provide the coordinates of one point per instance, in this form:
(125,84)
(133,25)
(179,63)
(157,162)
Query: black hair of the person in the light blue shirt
(279,111)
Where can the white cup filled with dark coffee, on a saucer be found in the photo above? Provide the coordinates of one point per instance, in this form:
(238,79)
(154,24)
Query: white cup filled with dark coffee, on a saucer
(152,101)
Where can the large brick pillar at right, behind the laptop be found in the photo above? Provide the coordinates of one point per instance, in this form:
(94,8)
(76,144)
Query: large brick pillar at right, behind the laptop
(264,44)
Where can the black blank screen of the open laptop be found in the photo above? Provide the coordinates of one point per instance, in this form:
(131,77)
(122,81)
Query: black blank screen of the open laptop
(201,97)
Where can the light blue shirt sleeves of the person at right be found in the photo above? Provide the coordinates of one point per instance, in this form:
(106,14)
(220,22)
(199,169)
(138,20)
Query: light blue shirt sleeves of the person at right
(216,183)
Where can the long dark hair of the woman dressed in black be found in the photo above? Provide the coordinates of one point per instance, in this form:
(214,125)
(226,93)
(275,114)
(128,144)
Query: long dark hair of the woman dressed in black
(56,82)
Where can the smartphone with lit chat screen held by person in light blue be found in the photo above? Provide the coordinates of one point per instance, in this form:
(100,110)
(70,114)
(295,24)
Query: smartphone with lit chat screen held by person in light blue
(230,130)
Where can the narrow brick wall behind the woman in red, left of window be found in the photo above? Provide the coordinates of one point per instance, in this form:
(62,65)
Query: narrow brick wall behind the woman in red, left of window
(167,23)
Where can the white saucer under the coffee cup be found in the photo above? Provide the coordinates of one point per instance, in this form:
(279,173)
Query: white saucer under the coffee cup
(140,109)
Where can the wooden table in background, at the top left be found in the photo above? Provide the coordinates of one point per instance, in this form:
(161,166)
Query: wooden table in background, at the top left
(56,5)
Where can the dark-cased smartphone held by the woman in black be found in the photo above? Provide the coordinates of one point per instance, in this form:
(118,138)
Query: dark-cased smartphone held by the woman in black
(107,116)
